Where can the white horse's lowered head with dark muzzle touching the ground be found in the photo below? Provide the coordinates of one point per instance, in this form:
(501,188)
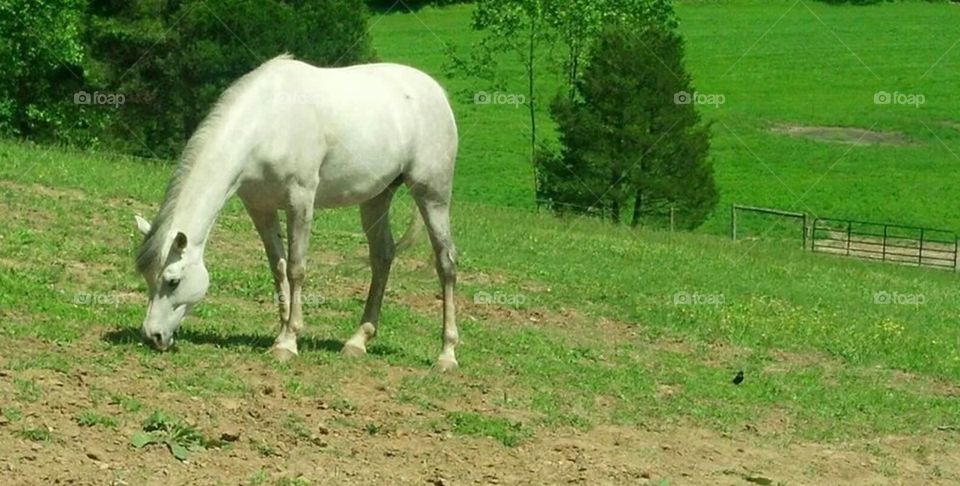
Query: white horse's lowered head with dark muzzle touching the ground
(176,281)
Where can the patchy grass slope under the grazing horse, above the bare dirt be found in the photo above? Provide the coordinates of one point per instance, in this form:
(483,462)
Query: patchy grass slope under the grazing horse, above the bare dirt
(591,327)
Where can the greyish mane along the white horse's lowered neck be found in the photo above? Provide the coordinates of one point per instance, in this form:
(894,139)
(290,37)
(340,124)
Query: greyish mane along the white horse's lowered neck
(155,243)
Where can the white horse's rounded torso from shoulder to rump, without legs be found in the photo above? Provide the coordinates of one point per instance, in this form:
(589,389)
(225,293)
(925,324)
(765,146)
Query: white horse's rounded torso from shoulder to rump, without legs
(358,128)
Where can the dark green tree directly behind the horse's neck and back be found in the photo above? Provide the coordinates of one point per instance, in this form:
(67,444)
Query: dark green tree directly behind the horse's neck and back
(172,60)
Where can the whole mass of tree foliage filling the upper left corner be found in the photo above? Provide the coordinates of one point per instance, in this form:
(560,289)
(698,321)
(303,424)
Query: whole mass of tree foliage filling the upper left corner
(139,76)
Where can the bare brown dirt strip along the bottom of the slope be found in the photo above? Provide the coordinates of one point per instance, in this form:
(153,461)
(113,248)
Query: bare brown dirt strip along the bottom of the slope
(402,451)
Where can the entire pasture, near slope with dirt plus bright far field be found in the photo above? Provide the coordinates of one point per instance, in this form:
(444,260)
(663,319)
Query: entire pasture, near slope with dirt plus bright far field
(589,353)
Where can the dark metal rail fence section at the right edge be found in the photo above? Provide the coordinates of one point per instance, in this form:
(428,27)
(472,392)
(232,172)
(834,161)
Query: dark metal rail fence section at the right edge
(911,245)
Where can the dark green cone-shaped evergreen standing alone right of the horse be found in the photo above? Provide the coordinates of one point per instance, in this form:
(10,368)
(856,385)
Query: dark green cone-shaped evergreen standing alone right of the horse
(630,135)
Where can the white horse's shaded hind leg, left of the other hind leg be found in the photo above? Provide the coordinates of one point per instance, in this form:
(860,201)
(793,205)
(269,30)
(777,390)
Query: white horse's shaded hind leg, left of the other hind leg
(374,215)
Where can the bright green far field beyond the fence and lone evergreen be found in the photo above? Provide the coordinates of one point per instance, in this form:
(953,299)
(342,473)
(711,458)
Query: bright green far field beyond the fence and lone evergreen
(777,63)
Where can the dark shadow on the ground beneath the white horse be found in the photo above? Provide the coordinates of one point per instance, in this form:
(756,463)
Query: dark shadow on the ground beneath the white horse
(131,336)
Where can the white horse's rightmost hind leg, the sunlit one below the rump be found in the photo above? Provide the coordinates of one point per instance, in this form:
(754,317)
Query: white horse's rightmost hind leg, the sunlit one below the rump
(435,208)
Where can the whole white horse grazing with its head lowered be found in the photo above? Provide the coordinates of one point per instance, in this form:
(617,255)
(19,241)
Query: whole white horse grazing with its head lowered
(294,137)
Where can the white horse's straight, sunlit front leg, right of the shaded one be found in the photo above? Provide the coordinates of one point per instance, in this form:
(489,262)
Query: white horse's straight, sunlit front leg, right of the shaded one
(299,221)
